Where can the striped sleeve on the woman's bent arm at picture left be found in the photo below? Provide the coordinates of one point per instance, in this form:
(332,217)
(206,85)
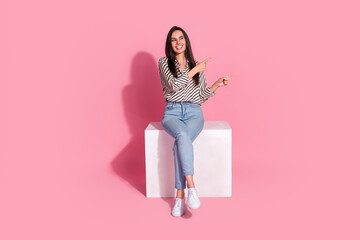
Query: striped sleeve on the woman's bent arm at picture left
(172,83)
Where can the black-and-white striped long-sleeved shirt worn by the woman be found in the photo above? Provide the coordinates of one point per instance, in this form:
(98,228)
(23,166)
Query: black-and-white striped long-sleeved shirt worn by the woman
(182,89)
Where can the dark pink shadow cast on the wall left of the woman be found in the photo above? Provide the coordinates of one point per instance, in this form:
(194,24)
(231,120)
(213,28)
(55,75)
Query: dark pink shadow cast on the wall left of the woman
(143,103)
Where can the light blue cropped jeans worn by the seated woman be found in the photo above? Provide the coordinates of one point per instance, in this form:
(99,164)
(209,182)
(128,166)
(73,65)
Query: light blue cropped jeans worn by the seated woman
(183,121)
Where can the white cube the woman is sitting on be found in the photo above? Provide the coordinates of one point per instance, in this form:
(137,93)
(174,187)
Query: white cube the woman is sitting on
(212,161)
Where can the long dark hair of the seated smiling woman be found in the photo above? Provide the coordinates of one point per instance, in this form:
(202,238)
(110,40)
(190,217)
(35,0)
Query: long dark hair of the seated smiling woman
(170,54)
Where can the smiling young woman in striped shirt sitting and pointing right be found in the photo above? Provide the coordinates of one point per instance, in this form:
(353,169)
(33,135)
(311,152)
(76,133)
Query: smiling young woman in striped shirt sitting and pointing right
(184,87)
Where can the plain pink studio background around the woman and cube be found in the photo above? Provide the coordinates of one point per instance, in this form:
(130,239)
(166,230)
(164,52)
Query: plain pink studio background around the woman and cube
(80,83)
